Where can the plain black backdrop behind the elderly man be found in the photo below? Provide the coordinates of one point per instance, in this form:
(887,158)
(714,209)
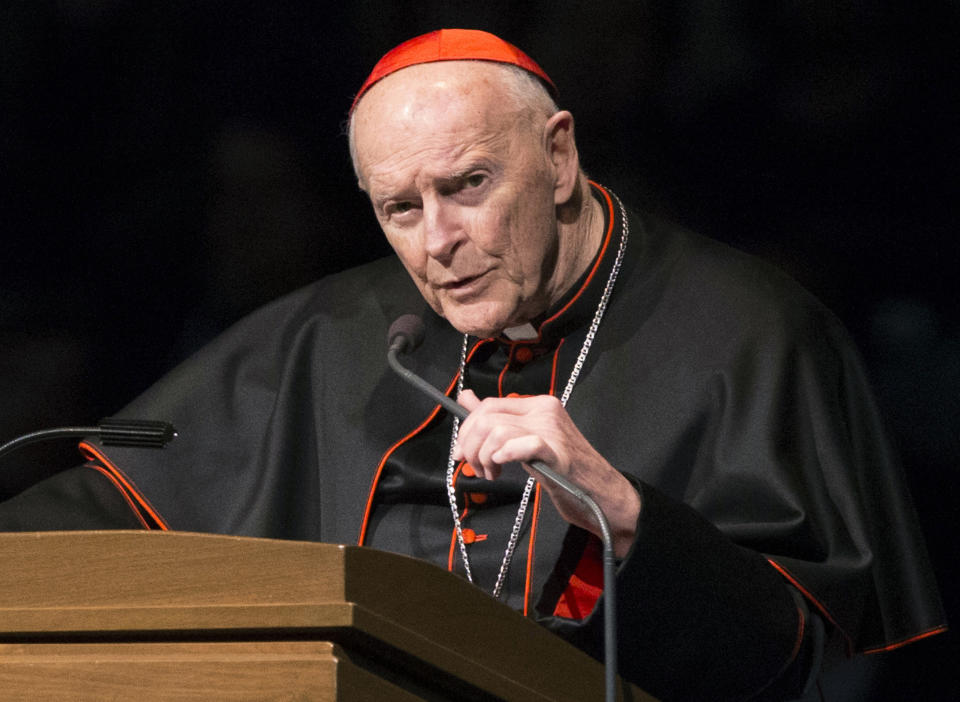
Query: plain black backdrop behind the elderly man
(170,166)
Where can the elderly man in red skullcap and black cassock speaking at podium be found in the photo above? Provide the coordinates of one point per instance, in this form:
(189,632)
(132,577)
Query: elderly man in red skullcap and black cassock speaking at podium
(714,410)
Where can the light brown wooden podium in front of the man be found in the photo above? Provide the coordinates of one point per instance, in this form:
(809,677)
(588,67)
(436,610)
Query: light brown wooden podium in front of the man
(119,615)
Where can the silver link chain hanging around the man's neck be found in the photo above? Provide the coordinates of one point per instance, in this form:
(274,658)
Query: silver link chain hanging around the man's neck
(571,381)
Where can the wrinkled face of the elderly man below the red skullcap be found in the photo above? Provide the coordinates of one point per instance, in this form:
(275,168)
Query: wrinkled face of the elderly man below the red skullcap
(462,185)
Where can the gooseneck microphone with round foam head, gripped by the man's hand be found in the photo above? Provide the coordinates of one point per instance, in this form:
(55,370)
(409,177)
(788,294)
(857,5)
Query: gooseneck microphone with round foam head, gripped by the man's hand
(404,336)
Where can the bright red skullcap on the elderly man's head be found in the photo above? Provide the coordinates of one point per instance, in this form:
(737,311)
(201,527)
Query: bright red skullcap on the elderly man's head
(452,45)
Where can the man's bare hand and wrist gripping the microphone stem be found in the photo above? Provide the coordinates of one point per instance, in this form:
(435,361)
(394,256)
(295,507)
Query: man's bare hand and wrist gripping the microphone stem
(523,429)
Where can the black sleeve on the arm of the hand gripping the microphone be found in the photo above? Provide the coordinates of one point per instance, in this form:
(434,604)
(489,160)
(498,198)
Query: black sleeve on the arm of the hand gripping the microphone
(689,599)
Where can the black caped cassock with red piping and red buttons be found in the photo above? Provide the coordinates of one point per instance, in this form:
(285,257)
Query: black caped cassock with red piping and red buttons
(731,398)
